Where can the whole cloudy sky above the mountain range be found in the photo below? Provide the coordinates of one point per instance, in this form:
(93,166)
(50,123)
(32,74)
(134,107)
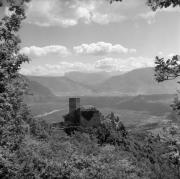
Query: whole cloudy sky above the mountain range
(61,36)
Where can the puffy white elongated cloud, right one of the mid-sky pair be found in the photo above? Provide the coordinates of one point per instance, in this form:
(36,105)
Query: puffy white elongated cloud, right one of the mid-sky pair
(101,48)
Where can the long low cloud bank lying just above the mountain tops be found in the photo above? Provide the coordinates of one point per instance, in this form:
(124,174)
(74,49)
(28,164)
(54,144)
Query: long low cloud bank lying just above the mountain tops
(104,64)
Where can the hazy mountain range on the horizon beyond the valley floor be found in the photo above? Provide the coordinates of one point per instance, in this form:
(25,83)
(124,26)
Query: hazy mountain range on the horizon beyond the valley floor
(135,82)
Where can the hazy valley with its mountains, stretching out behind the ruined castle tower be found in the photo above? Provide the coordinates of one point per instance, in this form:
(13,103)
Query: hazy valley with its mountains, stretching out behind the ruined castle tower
(135,96)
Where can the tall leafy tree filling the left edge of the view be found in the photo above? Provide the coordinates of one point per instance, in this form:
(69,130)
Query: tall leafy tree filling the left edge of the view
(12,111)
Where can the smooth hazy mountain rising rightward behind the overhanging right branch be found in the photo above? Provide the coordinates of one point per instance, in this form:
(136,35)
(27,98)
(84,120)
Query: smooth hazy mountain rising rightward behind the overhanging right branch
(138,81)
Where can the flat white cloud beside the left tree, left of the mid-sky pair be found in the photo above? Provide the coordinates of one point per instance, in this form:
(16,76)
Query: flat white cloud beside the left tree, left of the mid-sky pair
(43,51)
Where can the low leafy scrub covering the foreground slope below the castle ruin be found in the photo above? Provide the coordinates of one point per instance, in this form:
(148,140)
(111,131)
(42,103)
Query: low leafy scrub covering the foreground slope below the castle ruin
(80,156)
